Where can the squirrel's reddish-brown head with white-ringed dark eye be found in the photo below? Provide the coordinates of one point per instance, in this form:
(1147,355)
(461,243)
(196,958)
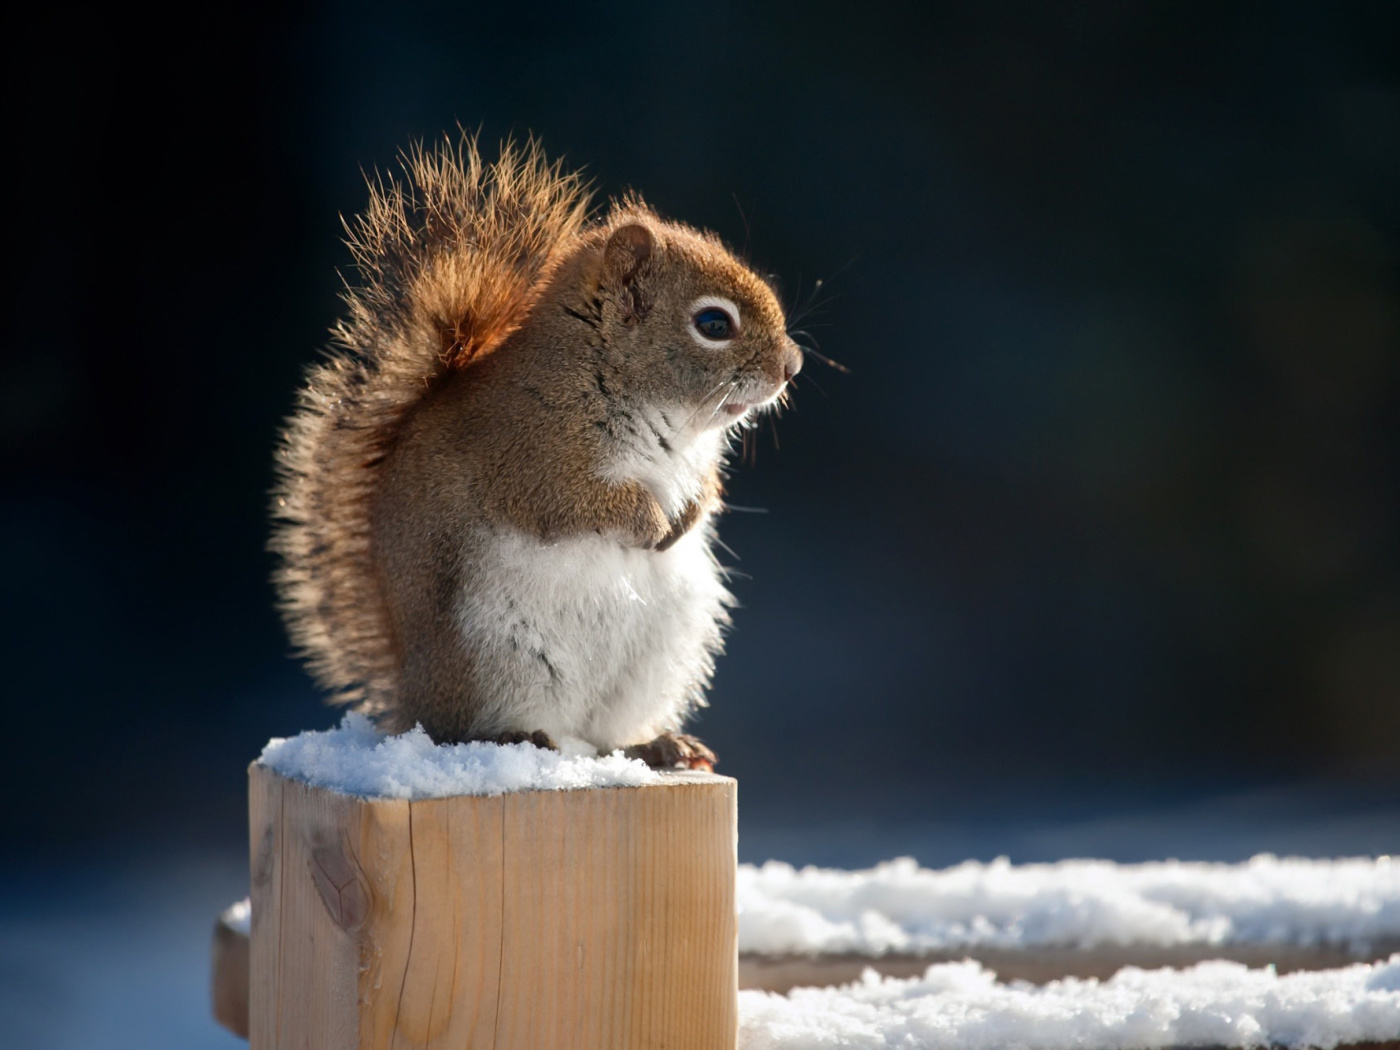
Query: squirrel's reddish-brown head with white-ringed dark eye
(687,323)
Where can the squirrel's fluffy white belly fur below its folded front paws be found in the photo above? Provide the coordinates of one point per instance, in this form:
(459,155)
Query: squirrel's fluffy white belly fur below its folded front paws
(590,639)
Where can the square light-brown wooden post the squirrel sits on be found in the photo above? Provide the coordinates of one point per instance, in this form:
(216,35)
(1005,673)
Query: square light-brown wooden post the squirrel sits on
(535,920)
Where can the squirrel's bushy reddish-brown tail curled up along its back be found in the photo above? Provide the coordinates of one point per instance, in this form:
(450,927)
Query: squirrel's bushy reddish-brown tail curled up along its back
(451,258)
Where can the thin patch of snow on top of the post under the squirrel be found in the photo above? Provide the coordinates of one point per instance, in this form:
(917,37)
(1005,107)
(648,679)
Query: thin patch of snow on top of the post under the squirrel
(356,759)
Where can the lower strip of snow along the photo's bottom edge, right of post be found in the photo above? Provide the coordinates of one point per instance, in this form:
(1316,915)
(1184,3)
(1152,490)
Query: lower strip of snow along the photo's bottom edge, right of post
(961,1007)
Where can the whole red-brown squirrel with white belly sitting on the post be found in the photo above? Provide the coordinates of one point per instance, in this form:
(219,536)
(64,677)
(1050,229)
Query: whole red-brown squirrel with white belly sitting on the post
(496,496)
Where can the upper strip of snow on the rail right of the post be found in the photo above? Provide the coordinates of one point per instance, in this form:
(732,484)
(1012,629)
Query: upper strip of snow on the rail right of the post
(902,908)
